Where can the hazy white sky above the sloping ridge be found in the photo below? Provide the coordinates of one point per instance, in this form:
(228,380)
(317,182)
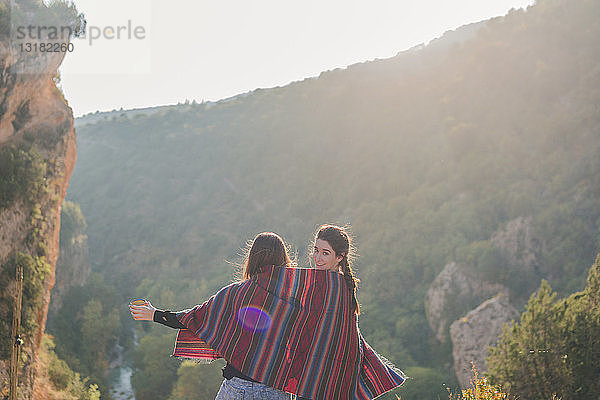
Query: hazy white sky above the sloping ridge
(140,53)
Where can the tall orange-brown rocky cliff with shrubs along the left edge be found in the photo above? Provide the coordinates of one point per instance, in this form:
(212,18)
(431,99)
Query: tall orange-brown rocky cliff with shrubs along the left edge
(37,156)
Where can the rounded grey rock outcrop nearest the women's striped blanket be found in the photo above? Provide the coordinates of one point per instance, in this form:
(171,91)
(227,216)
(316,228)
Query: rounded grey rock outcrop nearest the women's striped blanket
(453,293)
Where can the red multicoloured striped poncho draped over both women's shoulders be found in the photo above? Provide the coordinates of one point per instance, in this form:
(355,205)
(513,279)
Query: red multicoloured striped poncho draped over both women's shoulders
(293,329)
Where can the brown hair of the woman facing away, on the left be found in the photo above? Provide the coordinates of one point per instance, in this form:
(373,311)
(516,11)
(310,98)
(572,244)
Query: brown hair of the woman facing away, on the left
(266,249)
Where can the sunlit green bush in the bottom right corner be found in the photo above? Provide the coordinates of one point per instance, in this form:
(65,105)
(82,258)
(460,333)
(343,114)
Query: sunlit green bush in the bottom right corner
(553,350)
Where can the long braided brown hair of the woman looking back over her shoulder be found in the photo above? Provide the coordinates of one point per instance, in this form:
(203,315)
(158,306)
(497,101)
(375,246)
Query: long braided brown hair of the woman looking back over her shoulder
(341,242)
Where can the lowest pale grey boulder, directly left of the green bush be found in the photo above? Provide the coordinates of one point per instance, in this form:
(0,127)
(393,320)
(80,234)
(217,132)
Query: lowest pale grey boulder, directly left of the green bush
(472,334)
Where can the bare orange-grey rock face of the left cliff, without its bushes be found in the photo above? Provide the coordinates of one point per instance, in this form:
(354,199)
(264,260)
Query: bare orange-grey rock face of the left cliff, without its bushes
(33,116)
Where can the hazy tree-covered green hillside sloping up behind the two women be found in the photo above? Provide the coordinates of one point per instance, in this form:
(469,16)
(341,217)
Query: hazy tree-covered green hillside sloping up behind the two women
(425,154)
